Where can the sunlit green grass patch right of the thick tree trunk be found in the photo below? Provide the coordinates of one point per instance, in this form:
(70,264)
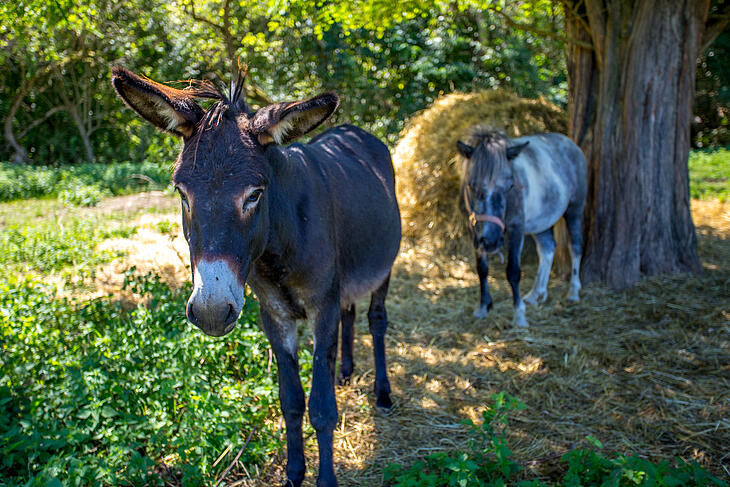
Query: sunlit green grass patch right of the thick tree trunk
(709,174)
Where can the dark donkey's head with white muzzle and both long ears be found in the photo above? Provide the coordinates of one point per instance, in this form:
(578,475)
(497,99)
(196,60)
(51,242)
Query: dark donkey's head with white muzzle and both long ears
(223,178)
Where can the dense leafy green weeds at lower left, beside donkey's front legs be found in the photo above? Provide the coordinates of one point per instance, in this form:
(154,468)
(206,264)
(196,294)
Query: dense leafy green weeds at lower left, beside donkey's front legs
(92,394)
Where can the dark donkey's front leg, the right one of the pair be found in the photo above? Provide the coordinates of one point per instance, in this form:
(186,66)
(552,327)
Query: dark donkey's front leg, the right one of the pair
(322,403)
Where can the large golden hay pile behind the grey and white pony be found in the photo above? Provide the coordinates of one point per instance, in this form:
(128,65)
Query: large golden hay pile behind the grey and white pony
(425,157)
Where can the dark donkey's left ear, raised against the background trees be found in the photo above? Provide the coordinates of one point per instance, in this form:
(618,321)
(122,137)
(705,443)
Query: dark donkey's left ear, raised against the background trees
(164,107)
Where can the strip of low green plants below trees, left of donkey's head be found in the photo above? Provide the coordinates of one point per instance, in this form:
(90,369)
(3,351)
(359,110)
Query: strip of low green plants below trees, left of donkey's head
(81,183)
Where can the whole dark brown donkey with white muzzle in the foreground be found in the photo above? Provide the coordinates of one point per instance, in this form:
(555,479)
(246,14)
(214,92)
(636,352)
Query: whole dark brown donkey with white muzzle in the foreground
(311,228)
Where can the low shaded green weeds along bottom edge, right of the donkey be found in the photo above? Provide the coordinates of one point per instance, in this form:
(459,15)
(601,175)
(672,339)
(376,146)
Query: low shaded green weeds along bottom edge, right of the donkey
(487,463)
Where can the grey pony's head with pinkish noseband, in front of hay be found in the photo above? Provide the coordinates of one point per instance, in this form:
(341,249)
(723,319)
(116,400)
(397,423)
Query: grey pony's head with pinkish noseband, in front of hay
(488,179)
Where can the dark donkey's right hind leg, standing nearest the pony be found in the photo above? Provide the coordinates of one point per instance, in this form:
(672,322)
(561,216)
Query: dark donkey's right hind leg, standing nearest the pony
(378,319)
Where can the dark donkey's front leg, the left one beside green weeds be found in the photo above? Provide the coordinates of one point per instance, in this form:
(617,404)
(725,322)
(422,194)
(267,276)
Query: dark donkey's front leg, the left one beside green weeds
(291,395)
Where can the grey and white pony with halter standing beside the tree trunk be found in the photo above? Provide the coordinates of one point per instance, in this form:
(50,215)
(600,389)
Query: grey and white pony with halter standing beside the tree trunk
(518,186)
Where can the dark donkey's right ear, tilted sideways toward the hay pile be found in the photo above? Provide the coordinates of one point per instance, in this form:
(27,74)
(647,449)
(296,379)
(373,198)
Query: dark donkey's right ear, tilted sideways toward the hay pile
(282,123)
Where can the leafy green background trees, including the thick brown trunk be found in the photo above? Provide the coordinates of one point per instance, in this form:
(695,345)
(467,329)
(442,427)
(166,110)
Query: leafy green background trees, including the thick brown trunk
(628,85)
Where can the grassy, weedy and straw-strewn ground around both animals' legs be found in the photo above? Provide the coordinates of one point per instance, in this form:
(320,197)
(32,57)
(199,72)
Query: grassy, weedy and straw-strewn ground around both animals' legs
(95,392)
